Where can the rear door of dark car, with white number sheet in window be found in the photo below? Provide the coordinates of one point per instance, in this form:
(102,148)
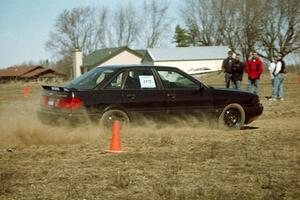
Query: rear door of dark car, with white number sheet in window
(142,93)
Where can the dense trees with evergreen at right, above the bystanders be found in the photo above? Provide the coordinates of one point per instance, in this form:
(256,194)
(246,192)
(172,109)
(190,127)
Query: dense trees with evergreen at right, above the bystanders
(267,26)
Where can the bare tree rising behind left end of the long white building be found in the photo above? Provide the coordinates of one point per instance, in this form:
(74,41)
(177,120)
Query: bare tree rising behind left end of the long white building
(155,21)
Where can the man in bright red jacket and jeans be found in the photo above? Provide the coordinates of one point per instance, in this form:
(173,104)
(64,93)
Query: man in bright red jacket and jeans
(254,69)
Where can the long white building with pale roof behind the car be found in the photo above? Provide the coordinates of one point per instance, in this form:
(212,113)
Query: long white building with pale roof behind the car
(192,60)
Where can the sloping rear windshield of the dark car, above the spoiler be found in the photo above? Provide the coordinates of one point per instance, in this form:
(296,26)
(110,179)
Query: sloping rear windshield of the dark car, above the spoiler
(91,79)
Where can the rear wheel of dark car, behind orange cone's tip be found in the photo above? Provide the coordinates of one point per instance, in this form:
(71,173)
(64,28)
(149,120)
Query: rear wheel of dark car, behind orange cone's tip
(108,118)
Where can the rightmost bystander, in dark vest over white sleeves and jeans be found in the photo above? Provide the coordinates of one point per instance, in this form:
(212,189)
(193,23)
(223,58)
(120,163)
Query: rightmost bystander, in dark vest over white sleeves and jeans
(278,78)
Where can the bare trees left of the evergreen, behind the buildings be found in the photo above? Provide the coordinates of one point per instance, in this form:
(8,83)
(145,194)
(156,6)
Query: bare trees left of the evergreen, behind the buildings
(89,28)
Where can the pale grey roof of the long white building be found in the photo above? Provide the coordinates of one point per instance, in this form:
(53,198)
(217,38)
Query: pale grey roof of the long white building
(187,53)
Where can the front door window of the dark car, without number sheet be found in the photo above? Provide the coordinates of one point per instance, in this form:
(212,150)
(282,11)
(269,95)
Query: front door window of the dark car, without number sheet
(172,79)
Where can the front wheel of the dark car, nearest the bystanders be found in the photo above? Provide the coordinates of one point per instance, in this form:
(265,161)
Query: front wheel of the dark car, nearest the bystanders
(232,117)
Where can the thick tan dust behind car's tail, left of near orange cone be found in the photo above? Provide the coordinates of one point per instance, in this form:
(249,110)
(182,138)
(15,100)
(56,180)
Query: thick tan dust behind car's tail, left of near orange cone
(21,127)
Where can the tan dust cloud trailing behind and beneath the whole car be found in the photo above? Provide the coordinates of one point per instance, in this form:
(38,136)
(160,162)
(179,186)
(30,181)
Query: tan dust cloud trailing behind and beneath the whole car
(21,127)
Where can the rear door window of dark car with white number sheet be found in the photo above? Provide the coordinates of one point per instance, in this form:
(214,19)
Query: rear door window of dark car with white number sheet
(140,79)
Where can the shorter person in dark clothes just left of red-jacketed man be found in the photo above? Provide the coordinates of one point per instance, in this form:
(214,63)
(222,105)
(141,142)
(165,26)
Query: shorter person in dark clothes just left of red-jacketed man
(237,72)
